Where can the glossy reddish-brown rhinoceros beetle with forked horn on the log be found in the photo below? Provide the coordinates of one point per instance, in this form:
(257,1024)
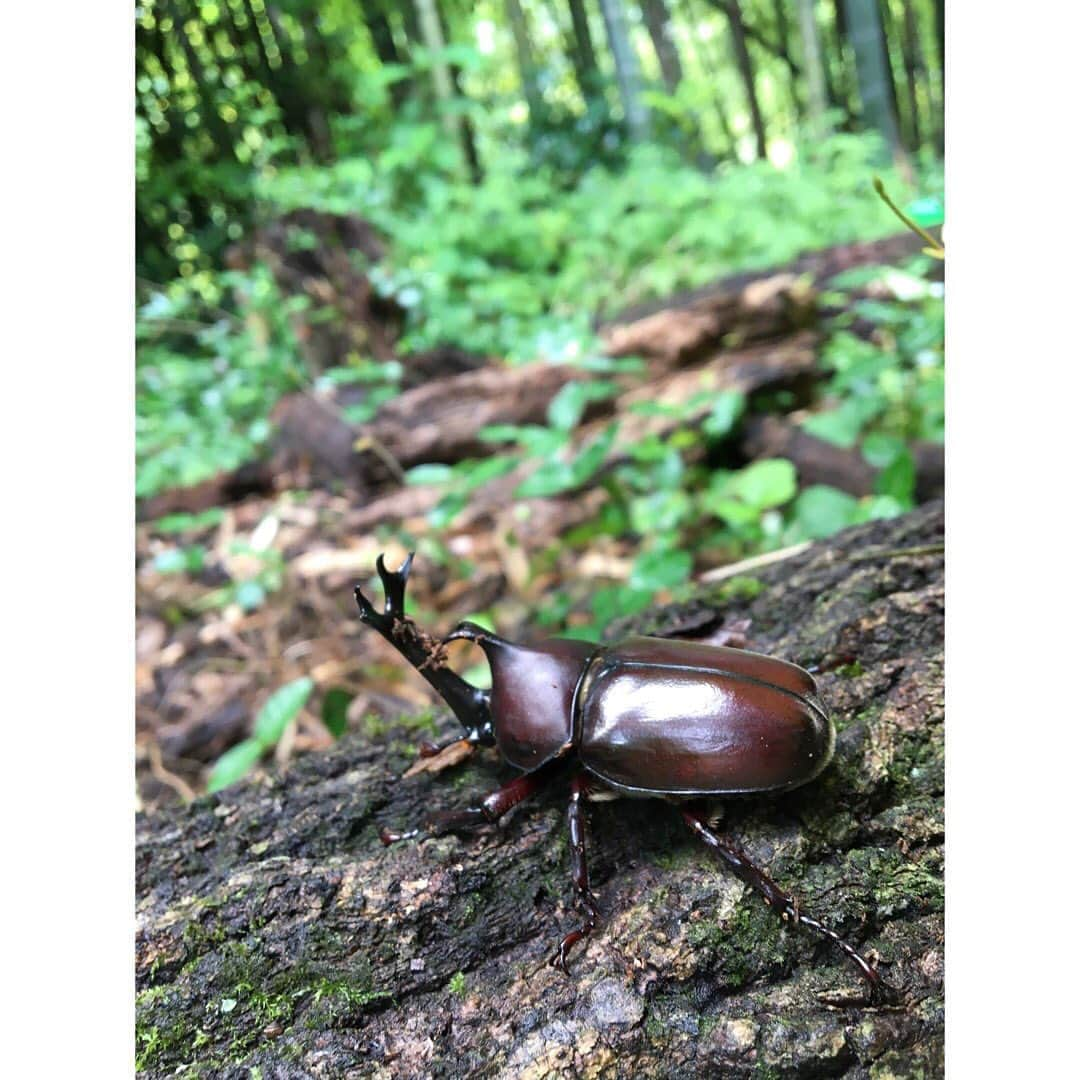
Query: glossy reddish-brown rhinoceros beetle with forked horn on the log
(646,717)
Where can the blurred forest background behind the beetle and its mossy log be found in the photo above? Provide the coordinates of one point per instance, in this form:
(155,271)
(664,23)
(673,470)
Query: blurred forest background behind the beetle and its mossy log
(591,303)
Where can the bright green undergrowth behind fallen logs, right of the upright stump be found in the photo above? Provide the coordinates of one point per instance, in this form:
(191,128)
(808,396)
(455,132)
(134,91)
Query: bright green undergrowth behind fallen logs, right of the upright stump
(517,267)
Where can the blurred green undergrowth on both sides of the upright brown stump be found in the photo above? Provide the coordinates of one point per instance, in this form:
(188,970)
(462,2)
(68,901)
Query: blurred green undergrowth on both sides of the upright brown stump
(515,269)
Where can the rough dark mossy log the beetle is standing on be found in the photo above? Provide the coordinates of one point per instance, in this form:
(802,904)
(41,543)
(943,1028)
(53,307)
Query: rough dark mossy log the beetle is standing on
(277,937)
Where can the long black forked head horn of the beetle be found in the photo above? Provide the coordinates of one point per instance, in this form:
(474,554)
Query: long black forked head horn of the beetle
(469,704)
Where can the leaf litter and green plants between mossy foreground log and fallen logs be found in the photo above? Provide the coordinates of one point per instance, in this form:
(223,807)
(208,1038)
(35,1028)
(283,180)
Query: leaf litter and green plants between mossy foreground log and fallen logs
(249,646)
